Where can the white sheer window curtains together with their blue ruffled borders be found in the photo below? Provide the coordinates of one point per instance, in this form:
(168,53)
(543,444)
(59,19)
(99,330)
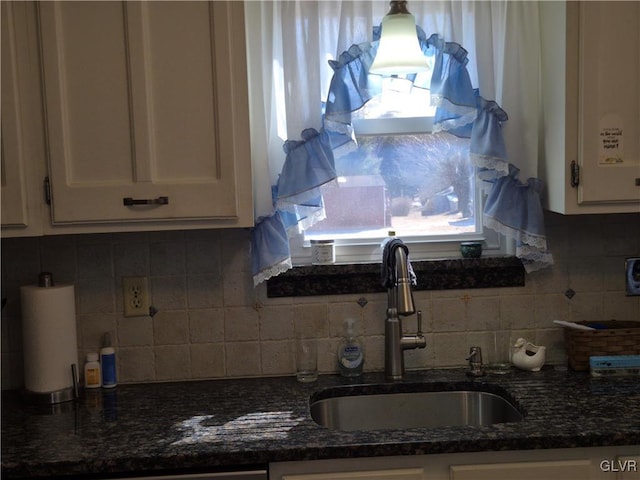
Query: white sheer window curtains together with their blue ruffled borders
(290,46)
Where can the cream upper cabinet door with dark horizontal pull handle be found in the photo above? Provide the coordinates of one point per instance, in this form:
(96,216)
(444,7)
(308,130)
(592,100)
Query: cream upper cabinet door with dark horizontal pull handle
(146,101)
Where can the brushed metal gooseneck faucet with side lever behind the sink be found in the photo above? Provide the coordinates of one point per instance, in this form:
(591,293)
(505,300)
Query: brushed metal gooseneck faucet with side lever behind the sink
(400,302)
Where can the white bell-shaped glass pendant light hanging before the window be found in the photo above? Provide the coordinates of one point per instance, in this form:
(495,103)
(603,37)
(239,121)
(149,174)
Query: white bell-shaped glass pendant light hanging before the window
(398,50)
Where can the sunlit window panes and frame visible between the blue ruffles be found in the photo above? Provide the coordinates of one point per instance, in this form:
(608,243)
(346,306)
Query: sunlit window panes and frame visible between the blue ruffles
(402,178)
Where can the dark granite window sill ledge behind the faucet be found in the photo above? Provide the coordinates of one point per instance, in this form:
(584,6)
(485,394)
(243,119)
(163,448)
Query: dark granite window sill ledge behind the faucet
(459,273)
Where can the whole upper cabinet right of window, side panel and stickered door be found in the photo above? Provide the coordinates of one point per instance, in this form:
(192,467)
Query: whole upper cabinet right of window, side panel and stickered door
(591,73)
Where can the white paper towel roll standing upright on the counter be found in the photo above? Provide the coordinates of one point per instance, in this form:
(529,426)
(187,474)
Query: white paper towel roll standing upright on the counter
(49,337)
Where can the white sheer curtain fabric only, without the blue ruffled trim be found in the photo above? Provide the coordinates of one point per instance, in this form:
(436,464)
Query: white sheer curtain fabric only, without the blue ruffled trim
(290,43)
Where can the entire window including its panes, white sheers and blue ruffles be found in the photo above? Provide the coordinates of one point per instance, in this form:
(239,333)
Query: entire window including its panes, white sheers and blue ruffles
(374,188)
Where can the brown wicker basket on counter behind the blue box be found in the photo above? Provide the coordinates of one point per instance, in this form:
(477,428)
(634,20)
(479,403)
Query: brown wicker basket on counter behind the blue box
(618,338)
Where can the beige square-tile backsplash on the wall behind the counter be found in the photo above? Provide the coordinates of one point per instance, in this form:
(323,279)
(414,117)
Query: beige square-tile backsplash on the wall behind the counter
(211,322)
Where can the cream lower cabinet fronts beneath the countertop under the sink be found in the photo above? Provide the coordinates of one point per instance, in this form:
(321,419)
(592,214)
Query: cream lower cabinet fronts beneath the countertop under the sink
(596,463)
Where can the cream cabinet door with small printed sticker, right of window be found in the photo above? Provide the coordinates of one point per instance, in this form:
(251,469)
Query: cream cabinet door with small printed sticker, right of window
(609,102)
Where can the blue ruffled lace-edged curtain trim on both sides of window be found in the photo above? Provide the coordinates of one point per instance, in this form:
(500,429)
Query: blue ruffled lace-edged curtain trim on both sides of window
(512,208)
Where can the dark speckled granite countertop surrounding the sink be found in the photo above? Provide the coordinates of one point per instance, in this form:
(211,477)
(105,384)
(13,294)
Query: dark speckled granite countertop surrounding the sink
(224,424)
